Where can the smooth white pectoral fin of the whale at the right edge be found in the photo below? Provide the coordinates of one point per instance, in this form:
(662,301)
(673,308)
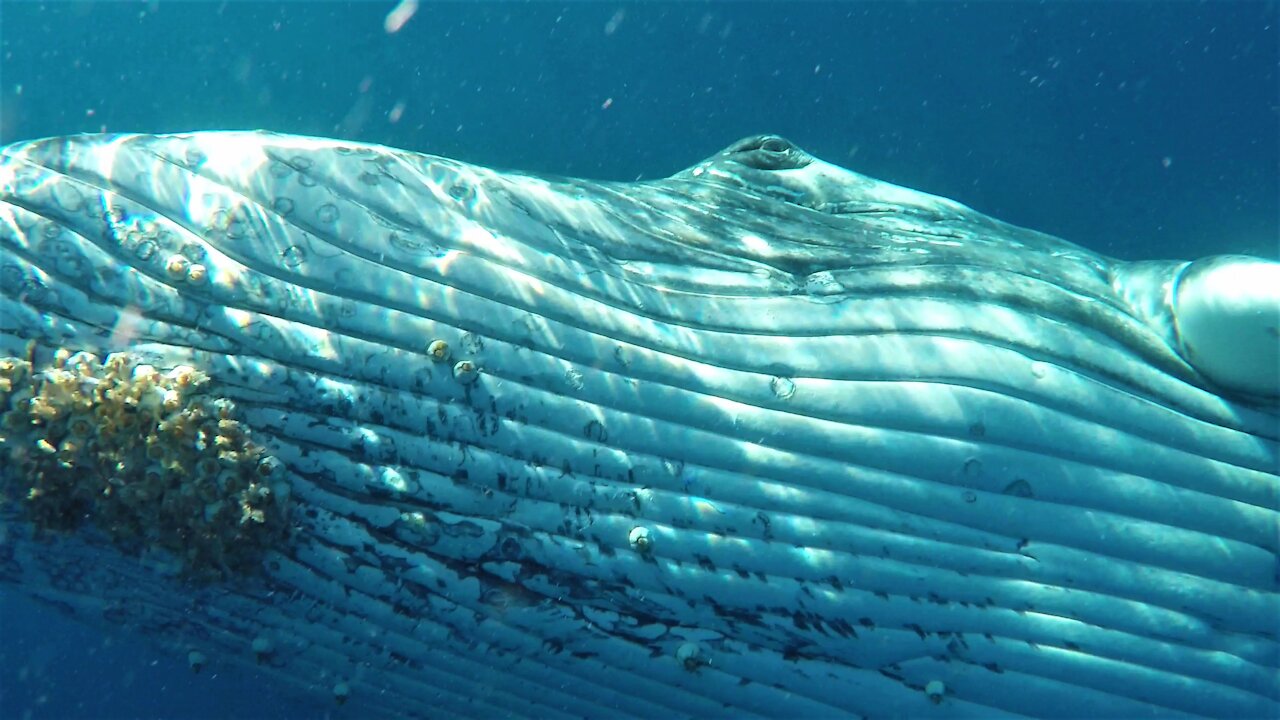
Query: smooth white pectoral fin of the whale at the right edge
(1227,311)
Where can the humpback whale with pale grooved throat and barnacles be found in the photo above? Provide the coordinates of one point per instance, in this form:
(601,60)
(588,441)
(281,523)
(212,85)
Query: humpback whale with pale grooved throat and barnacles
(766,438)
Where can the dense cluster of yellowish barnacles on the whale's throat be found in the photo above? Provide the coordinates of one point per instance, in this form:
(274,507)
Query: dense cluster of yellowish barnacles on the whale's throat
(147,455)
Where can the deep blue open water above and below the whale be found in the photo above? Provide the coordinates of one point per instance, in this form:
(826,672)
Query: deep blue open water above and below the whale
(1136,129)
